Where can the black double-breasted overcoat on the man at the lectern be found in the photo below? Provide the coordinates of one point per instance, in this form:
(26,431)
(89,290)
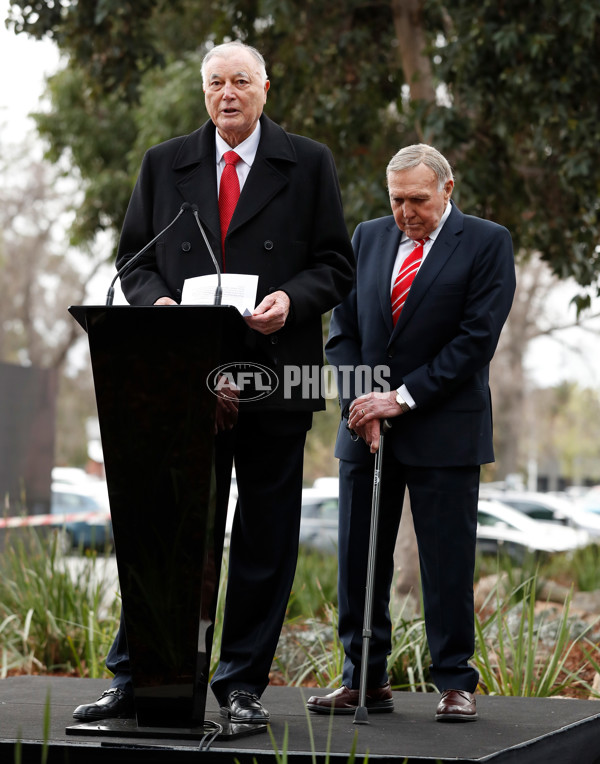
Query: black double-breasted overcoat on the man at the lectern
(288,228)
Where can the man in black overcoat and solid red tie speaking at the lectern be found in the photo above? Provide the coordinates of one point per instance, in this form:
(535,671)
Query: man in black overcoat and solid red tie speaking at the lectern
(288,228)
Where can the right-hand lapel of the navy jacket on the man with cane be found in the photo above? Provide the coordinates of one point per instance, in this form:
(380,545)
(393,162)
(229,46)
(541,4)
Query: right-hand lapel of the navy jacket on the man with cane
(442,249)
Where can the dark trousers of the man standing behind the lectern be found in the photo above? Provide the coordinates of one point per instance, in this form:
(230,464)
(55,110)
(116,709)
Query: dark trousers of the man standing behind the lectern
(268,451)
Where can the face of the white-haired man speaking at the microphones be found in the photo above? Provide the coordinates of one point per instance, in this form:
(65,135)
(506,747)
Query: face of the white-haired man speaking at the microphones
(235,94)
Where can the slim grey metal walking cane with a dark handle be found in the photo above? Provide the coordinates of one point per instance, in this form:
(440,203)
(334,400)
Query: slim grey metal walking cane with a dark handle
(361,715)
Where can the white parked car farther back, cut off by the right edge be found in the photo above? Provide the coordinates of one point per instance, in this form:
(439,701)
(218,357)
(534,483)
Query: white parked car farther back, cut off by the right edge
(548,507)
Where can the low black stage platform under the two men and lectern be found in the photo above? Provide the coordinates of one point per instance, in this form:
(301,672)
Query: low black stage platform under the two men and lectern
(515,730)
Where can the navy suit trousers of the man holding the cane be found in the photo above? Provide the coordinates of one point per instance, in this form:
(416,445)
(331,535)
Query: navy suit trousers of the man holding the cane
(444,510)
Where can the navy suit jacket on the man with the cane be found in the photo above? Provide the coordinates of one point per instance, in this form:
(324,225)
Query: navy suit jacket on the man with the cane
(441,346)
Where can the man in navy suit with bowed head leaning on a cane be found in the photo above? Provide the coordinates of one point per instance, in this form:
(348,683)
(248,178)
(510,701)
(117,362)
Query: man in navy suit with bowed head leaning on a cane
(433,289)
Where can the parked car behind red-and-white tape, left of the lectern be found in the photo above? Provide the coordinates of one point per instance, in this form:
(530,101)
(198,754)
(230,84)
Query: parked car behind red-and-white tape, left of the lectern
(90,500)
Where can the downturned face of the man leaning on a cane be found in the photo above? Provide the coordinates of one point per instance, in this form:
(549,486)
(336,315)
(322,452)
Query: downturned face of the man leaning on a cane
(417,202)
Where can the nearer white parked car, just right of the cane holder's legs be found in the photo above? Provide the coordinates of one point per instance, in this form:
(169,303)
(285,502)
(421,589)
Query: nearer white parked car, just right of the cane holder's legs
(502,529)
